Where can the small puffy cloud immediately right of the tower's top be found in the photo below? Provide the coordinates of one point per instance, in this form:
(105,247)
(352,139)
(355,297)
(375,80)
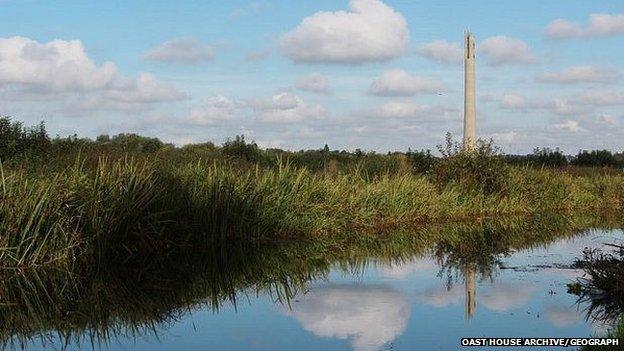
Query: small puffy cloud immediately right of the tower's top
(501,50)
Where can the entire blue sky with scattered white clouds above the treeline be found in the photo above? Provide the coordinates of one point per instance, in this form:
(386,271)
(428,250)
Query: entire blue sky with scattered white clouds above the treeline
(369,74)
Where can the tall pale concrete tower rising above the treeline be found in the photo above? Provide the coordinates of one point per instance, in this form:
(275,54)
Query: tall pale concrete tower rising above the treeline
(470,108)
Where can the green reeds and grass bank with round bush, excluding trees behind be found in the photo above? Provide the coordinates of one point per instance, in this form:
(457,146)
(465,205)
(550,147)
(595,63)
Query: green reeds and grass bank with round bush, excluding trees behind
(119,208)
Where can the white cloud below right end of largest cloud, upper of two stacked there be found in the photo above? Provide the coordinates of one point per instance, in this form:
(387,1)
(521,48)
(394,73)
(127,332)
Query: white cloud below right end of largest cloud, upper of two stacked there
(397,82)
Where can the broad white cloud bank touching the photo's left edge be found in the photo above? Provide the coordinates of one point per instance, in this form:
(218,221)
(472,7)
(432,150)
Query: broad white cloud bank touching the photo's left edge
(63,69)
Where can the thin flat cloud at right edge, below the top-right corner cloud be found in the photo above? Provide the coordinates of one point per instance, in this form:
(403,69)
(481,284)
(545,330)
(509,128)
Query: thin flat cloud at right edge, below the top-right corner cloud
(581,74)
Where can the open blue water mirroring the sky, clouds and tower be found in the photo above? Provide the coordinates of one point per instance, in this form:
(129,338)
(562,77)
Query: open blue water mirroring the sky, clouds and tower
(413,303)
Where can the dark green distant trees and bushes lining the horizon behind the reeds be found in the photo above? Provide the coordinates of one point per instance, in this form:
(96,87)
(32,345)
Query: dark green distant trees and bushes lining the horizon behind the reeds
(20,142)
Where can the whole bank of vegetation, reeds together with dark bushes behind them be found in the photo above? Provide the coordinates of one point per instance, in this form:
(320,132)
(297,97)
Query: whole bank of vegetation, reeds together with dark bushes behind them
(70,200)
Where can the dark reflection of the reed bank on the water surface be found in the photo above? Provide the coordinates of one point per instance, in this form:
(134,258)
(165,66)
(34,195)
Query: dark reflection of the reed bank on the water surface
(144,294)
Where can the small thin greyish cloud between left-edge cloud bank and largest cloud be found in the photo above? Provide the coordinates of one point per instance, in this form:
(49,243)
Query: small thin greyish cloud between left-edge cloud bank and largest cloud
(182,50)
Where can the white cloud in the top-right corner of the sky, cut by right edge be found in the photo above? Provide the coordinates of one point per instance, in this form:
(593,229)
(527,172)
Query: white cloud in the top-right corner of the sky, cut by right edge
(599,25)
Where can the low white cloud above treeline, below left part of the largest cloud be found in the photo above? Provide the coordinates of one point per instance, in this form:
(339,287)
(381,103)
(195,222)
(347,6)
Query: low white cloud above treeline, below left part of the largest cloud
(286,107)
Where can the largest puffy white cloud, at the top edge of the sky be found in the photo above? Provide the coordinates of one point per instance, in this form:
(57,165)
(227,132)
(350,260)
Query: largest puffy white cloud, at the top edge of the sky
(370,31)
